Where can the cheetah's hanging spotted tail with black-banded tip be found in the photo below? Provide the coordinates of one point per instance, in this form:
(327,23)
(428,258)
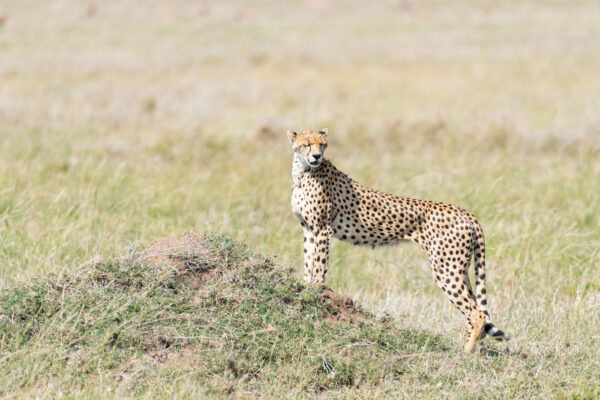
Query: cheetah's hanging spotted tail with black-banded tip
(479,261)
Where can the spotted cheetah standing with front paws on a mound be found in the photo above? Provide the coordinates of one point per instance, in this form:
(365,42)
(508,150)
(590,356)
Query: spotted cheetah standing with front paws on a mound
(330,204)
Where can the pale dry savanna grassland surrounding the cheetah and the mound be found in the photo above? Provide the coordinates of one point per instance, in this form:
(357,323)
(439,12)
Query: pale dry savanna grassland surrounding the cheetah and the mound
(121,122)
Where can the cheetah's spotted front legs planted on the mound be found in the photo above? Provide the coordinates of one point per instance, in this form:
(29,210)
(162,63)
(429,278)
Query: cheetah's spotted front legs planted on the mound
(316,254)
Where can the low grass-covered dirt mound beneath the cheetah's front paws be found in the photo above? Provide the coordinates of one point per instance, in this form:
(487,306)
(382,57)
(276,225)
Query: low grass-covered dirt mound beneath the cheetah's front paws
(207,309)
